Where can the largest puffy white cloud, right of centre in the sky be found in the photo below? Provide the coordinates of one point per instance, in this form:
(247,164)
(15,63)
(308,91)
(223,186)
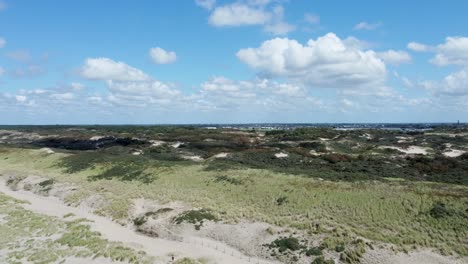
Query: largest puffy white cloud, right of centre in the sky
(325,62)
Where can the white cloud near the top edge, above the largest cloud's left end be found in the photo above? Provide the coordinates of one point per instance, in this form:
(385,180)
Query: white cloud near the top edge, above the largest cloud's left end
(238,14)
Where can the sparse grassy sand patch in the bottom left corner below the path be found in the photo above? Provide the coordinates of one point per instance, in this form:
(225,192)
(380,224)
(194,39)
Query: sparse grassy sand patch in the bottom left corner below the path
(35,238)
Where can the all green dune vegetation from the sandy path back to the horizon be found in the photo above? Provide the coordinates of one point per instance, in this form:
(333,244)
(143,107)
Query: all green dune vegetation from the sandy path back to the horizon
(339,185)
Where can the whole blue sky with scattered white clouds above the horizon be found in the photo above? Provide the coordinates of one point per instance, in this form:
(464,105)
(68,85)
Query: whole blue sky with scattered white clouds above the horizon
(232,61)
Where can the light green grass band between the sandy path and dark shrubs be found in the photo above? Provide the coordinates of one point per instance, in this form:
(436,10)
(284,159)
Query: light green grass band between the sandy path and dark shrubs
(408,214)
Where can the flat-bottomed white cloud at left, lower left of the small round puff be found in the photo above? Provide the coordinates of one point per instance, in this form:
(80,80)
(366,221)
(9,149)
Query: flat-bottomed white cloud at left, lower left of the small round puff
(107,69)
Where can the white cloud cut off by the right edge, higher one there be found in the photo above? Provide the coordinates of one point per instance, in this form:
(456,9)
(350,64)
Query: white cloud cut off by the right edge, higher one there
(453,52)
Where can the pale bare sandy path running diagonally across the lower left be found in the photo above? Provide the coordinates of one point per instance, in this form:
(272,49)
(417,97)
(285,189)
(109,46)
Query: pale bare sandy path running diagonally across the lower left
(191,247)
